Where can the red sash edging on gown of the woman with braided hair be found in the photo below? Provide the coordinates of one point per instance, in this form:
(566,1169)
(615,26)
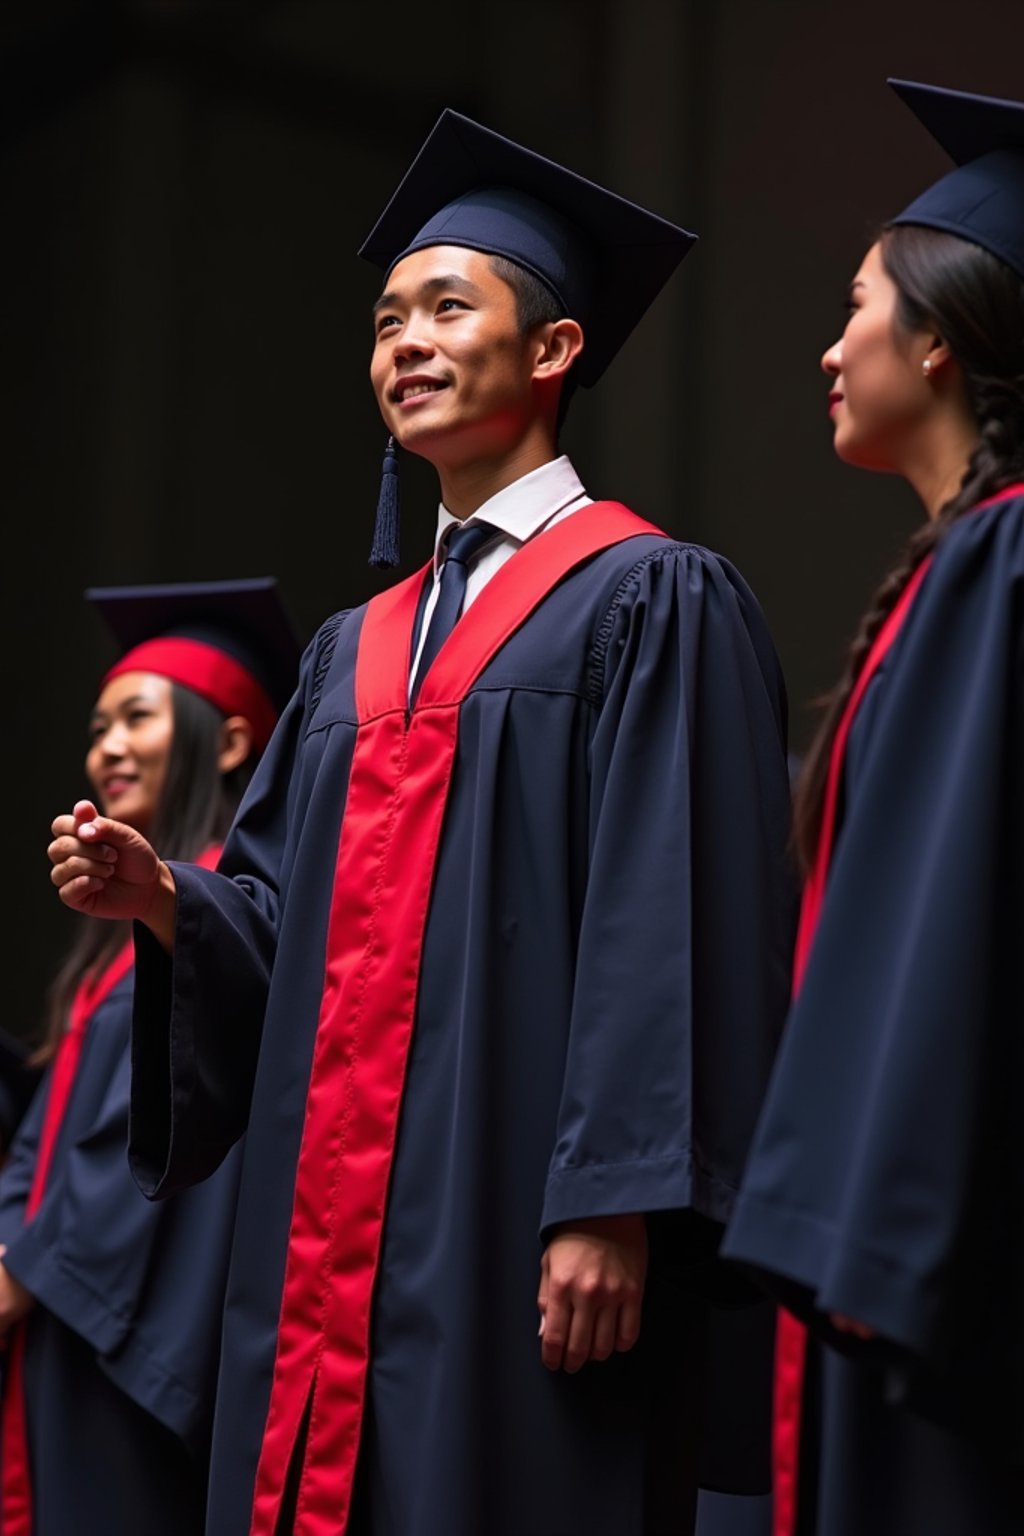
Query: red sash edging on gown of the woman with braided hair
(791,1340)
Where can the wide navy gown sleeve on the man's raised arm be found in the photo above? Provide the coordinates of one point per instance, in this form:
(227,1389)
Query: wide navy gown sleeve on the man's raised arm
(199,1011)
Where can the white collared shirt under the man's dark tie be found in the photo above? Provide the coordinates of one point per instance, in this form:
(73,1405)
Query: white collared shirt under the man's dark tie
(521,511)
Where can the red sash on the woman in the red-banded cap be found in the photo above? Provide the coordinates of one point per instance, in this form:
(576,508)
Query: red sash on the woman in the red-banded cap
(16,1483)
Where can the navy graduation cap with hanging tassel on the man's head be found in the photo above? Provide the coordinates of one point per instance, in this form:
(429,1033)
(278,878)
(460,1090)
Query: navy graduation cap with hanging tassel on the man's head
(603,257)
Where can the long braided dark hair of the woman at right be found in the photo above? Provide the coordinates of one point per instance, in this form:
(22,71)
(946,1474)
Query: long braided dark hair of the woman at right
(976,303)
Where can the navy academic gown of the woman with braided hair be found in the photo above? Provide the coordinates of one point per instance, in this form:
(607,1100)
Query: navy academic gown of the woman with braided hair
(888,1174)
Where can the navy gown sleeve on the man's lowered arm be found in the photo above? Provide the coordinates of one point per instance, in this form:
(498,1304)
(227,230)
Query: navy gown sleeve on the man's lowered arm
(687,935)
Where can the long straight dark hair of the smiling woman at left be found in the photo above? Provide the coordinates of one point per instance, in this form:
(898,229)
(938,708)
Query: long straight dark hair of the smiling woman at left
(196,810)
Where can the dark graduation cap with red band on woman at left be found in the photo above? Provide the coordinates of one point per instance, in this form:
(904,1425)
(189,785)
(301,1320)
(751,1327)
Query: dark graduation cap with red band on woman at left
(233,643)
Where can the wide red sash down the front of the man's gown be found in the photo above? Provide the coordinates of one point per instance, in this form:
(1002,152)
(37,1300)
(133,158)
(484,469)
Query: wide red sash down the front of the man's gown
(391,835)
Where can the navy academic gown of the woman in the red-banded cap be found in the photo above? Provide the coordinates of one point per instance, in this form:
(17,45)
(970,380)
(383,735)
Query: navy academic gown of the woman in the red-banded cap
(122,1346)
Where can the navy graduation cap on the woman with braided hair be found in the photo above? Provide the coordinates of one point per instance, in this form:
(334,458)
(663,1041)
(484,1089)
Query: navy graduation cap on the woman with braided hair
(983,199)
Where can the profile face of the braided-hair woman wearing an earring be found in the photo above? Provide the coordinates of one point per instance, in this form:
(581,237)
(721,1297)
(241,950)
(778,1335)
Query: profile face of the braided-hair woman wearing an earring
(880,394)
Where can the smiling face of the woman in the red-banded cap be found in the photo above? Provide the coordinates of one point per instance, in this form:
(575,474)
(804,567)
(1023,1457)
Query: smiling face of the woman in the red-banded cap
(131,730)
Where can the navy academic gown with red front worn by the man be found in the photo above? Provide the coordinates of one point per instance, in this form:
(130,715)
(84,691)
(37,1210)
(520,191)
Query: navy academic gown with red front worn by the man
(598,996)
